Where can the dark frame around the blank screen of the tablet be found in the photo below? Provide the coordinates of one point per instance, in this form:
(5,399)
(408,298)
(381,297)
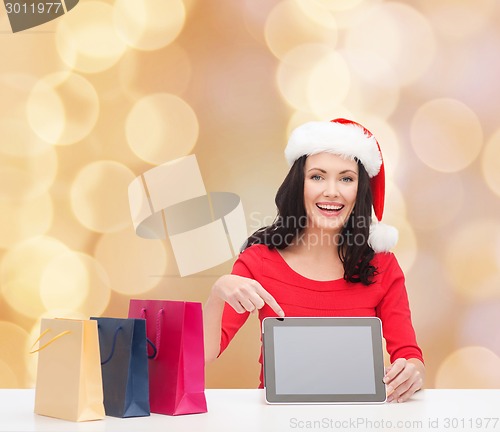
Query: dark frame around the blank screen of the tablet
(268,326)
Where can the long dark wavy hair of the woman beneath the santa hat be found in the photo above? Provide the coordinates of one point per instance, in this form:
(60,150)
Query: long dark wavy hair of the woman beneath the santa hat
(354,250)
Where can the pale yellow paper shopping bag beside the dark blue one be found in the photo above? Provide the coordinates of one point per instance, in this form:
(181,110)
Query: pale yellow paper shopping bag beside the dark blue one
(69,383)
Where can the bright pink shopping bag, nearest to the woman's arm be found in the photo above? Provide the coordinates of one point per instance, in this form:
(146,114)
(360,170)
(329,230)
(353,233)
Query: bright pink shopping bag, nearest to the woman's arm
(177,363)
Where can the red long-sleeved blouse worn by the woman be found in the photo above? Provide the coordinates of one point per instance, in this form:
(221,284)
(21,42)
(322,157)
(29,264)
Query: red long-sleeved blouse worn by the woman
(297,295)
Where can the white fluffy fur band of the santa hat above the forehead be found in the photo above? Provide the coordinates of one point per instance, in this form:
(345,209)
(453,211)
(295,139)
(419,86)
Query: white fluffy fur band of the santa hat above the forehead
(347,140)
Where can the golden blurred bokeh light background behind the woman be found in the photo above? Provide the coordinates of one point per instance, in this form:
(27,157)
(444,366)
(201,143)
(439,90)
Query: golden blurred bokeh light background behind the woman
(92,100)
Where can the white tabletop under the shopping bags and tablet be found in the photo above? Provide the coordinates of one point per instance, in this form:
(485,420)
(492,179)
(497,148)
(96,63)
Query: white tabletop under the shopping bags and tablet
(246,410)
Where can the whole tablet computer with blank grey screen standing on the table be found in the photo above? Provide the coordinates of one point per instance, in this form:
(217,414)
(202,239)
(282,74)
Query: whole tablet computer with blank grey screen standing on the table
(323,360)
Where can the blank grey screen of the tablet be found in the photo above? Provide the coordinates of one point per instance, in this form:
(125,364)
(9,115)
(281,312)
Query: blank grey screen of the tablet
(325,360)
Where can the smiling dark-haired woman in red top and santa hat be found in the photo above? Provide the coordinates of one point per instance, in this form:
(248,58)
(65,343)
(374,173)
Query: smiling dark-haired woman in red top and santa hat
(323,256)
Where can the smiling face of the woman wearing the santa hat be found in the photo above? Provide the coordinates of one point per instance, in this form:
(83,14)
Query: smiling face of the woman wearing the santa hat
(330,188)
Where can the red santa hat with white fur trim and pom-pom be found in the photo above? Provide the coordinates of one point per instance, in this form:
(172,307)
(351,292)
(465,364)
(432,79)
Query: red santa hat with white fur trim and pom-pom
(349,139)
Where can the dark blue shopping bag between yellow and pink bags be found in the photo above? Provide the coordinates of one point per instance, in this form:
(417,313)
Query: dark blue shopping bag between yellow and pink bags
(124,366)
